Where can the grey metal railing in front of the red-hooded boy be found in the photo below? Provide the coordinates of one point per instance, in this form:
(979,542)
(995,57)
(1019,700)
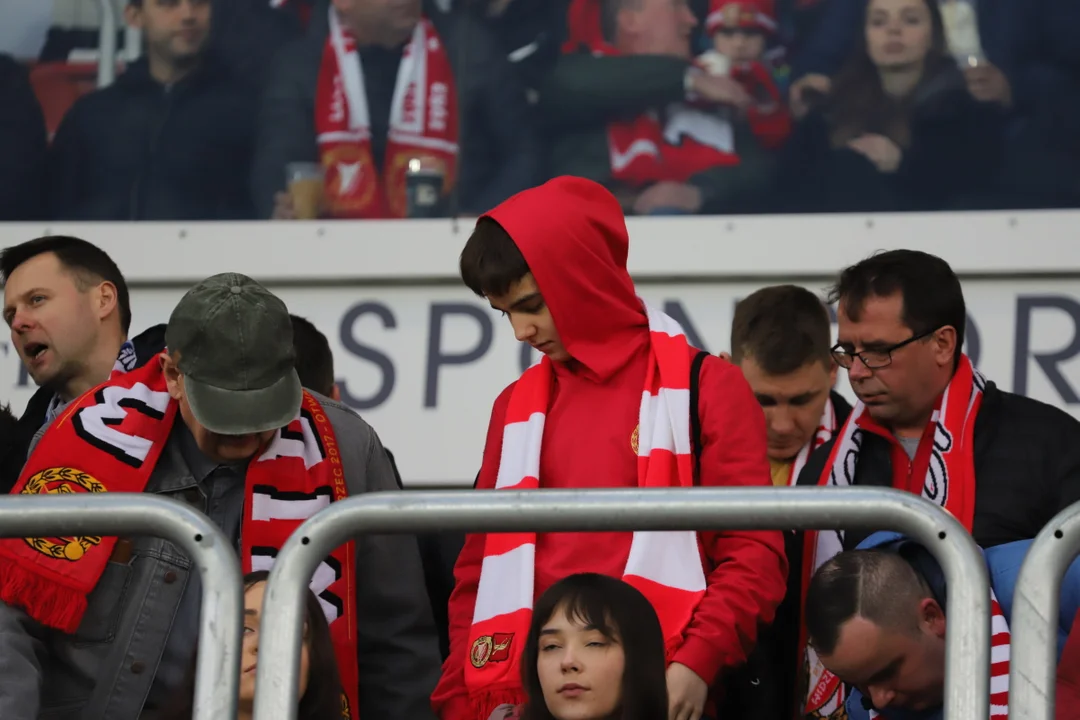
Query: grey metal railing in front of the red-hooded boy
(968,632)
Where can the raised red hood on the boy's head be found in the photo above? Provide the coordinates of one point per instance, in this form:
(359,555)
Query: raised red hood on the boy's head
(573,235)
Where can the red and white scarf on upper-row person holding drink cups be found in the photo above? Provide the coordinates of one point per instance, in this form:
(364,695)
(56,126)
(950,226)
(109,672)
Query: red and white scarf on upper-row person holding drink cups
(424,124)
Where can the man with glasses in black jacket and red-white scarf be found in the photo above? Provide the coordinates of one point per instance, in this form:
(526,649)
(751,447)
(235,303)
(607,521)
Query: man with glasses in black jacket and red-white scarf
(901,330)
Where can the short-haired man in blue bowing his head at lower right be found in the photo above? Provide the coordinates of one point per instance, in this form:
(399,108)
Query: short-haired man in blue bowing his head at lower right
(877,618)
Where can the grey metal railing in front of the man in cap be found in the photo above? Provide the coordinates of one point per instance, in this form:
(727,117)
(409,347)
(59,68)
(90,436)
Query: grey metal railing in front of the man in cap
(111,514)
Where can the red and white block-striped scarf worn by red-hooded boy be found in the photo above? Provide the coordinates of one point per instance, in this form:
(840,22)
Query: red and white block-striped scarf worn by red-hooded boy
(666,567)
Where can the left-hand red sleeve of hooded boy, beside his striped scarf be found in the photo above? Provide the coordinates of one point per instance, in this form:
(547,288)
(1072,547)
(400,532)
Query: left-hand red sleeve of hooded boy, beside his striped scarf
(451,701)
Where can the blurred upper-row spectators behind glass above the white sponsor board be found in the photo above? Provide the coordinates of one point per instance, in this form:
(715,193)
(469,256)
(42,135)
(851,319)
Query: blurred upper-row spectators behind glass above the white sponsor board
(317,108)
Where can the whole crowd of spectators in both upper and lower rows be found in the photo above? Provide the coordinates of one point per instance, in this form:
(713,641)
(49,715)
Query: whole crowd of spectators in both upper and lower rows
(504,111)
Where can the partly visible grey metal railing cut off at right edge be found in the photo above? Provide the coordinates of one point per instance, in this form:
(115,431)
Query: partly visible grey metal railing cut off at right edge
(1033,660)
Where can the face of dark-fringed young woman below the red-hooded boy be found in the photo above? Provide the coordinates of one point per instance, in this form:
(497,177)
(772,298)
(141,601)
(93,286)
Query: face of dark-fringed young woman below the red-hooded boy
(580,670)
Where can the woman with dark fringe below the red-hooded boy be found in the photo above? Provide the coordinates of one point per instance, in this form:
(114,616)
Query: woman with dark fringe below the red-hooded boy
(595,653)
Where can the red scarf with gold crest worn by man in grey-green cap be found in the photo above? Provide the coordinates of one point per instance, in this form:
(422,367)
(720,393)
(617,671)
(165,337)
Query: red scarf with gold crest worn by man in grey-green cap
(110,441)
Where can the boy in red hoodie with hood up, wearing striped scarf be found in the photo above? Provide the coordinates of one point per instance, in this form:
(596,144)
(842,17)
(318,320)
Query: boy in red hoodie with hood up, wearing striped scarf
(606,407)
